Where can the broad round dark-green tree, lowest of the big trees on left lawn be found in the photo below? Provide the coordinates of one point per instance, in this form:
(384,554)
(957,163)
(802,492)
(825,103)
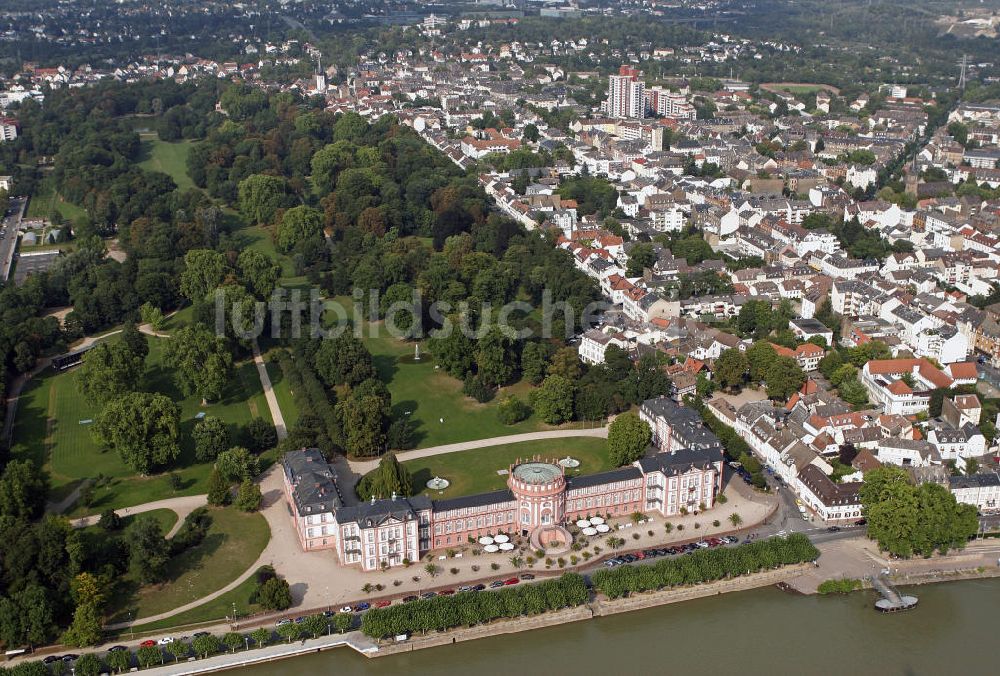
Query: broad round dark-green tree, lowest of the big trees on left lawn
(143,429)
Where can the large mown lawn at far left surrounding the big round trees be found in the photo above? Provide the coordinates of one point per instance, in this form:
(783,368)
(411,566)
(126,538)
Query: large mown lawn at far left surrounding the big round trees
(49,429)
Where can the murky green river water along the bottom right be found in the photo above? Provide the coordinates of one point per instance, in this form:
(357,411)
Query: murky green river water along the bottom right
(764,631)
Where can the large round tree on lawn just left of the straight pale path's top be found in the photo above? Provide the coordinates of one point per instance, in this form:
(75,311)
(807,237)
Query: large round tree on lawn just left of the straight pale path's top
(201,362)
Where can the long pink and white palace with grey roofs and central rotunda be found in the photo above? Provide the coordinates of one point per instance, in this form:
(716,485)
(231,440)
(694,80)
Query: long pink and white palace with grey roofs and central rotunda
(538,500)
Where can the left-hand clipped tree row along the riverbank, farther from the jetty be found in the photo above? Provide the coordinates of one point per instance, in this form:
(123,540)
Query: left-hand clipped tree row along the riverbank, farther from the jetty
(471,608)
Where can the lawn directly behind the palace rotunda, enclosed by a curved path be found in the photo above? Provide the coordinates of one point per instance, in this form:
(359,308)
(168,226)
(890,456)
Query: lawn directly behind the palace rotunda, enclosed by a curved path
(475,471)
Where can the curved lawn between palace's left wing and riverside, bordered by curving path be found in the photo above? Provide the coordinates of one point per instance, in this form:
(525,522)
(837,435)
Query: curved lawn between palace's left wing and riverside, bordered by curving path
(232,545)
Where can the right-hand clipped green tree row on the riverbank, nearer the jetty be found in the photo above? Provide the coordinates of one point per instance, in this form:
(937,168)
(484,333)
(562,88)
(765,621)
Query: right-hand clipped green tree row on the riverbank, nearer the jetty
(705,565)
